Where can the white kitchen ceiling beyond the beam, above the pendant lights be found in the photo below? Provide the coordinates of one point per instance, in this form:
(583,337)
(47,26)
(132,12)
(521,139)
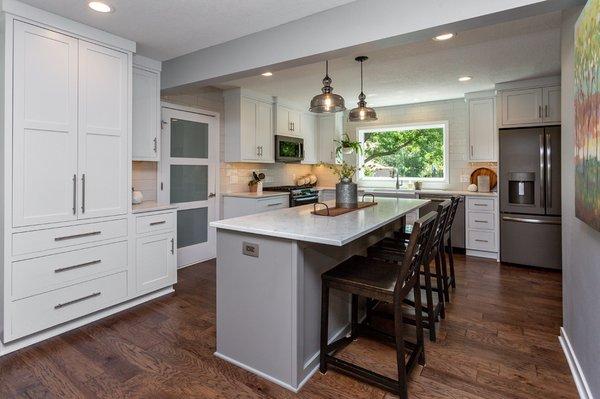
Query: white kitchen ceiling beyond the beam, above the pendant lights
(429,71)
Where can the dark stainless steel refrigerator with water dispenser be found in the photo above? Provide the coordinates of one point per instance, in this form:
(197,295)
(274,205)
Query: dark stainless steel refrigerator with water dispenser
(530,232)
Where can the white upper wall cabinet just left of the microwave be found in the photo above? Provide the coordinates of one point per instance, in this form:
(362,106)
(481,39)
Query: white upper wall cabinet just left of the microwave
(248,127)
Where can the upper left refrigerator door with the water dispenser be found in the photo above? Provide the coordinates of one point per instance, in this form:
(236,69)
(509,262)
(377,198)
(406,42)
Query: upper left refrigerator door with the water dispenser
(522,151)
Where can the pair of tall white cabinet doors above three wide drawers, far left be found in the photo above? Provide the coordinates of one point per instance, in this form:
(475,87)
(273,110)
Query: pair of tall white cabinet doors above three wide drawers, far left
(70,147)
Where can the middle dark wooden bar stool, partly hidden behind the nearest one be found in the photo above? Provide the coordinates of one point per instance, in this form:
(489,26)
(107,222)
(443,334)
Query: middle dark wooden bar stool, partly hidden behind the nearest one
(391,251)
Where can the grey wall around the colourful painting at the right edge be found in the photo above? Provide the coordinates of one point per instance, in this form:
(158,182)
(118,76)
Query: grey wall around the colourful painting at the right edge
(581,244)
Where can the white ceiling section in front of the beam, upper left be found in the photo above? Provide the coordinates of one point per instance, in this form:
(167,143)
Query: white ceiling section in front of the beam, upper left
(164,29)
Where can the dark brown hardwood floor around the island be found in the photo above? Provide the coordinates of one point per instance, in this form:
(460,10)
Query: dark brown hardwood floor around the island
(499,340)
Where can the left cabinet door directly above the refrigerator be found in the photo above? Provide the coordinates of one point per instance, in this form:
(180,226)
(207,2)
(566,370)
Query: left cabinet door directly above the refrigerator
(522,107)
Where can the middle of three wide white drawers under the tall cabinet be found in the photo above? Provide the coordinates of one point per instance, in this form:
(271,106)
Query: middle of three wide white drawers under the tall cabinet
(35,276)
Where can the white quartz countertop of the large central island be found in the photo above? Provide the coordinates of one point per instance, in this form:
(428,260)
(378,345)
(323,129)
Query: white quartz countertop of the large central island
(299,224)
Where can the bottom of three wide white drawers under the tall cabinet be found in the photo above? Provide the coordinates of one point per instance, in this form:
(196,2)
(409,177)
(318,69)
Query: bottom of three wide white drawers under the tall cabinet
(46,310)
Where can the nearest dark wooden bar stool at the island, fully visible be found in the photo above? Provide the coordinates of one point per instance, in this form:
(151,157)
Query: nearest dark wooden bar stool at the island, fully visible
(386,282)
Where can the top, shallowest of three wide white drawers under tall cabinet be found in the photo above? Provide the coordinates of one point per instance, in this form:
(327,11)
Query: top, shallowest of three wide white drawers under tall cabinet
(61,237)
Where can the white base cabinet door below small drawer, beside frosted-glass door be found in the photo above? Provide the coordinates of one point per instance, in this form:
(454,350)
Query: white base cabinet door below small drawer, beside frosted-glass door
(156,262)
